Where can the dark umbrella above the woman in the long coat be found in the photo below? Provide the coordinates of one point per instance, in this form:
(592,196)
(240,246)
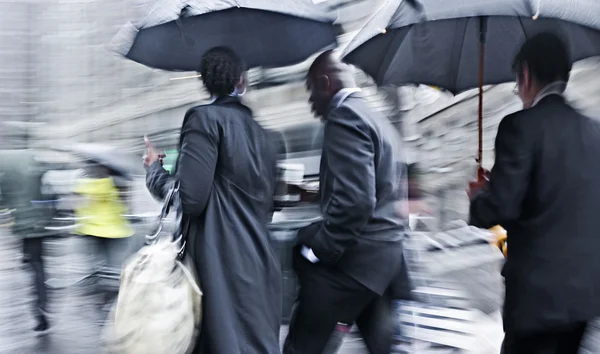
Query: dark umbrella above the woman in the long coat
(174,35)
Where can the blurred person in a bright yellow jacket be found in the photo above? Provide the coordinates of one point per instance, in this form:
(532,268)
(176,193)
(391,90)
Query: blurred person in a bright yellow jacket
(101,216)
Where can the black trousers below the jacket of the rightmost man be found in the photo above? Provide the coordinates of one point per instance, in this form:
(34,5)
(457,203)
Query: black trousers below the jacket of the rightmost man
(563,341)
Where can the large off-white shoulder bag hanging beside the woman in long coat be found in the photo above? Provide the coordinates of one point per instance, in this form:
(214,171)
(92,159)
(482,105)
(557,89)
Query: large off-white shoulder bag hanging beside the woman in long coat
(158,310)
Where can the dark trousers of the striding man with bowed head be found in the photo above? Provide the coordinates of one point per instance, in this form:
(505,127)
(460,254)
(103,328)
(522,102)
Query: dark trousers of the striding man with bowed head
(327,297)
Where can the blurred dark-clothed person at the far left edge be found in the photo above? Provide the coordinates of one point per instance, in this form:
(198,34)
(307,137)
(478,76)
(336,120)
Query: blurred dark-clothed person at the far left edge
(32,212)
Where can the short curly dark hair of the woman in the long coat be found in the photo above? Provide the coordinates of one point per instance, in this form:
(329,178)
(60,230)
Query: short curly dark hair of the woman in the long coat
(221,69)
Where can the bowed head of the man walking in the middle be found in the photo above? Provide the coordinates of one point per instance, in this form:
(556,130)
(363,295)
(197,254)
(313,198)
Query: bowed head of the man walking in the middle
(326,76)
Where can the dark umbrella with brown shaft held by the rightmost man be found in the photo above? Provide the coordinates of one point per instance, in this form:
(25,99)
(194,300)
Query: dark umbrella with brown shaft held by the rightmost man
(463,44)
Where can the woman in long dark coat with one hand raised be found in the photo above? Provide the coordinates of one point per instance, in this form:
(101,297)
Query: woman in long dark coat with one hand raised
(226,169)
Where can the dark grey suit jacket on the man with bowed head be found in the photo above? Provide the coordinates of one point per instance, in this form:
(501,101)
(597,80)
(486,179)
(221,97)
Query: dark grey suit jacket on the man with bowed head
(363,191)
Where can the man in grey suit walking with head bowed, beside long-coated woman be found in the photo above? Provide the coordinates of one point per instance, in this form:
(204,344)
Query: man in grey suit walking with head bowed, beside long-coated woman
(346,263)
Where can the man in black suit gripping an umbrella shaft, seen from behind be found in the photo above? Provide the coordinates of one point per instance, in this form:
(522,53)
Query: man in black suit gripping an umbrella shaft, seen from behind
(544,190)
